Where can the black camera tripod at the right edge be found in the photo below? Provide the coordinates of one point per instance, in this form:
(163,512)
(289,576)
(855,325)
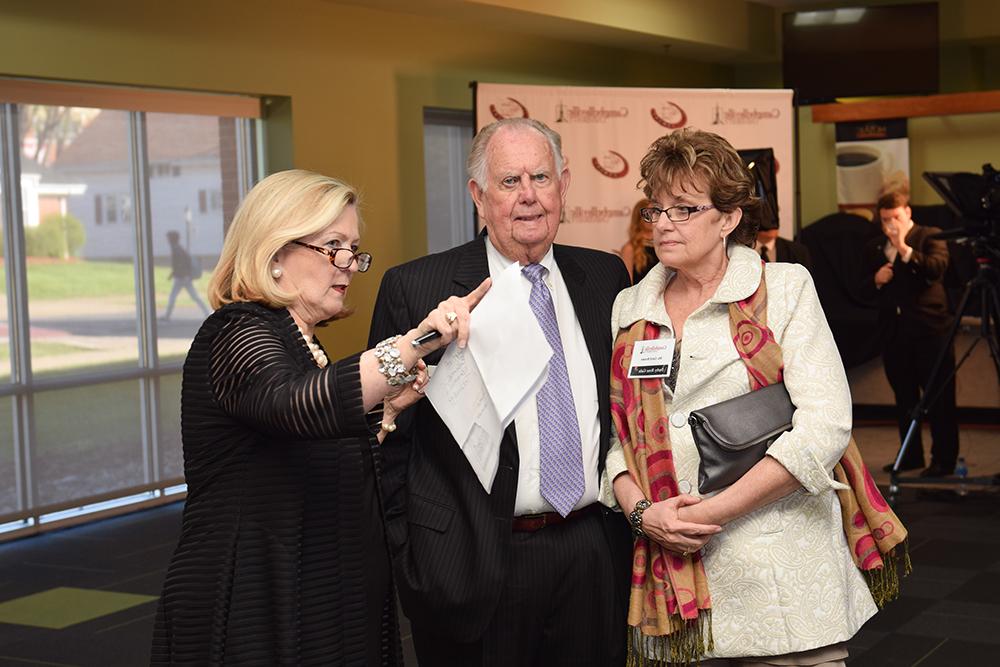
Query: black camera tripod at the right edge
(985,285)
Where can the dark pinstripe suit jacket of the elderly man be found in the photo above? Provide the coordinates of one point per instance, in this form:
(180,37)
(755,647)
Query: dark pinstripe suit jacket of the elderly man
(449,539)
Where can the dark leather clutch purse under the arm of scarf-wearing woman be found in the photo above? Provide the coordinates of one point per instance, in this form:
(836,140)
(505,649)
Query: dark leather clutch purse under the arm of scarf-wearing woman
(733,435)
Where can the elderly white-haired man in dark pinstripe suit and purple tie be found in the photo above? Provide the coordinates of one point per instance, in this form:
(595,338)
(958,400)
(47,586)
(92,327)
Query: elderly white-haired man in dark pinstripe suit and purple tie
(536,571)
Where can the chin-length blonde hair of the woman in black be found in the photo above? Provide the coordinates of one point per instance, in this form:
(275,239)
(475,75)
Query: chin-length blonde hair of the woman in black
(282,208)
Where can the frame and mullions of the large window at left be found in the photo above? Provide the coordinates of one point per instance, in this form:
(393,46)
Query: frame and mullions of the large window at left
(29,516)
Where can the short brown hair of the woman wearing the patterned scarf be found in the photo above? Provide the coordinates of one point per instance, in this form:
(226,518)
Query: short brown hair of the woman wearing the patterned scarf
(678,158)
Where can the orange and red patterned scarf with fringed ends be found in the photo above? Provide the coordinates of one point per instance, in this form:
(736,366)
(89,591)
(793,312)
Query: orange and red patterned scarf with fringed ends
(670,605)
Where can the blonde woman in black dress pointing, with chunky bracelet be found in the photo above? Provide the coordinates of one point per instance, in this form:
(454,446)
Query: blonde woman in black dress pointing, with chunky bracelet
(282,557)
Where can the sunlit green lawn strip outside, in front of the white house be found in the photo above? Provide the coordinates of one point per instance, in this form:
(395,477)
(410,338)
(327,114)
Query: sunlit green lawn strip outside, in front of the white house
(53,279)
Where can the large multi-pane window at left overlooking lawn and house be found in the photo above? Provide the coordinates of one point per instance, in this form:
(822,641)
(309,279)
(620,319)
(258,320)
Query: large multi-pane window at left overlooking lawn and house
(90,386)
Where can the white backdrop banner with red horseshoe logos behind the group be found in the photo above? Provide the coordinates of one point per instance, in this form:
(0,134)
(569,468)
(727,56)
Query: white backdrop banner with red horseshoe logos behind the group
(607,131)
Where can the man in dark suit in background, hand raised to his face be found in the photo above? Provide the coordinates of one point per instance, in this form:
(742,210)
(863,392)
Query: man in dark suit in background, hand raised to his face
(905,267)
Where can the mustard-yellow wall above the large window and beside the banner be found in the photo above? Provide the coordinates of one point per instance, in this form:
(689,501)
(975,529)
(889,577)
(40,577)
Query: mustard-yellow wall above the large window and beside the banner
(357,79)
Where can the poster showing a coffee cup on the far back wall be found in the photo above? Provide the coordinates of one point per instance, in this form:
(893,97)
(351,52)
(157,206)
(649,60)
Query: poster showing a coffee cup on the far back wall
(873,158)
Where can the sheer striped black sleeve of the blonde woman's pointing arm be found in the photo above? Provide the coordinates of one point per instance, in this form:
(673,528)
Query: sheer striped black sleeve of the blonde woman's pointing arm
(256,380)
